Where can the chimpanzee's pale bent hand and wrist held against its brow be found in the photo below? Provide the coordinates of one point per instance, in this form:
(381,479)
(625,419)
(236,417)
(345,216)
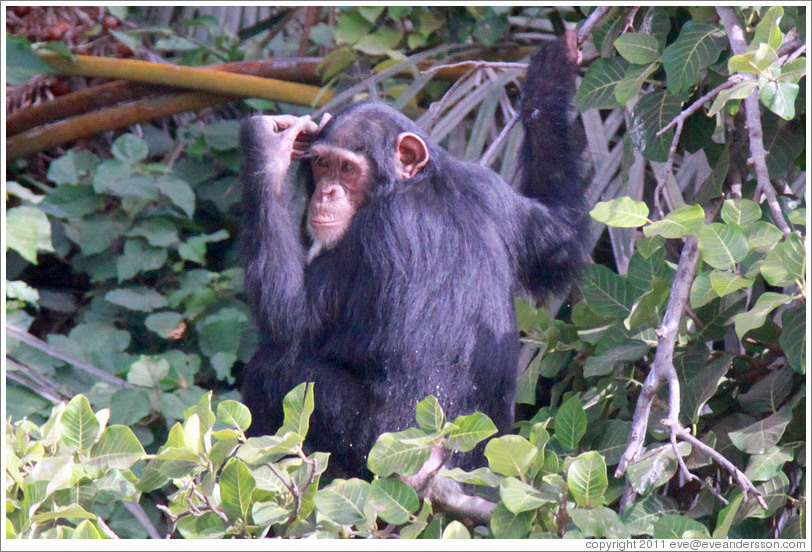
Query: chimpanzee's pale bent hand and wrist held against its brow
(270,143)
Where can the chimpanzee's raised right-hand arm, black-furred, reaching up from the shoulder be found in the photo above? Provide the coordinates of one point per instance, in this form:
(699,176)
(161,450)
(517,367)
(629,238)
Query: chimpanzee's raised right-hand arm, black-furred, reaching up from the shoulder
(554,225)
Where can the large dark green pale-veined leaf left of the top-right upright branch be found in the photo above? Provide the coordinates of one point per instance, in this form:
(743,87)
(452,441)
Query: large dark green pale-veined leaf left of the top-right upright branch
(697,47)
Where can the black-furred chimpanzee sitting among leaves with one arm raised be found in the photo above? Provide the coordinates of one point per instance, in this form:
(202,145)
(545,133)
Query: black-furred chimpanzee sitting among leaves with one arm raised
(408,288)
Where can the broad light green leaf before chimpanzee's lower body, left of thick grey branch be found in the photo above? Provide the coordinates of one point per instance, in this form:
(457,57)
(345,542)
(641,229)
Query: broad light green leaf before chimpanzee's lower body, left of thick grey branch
(404,453)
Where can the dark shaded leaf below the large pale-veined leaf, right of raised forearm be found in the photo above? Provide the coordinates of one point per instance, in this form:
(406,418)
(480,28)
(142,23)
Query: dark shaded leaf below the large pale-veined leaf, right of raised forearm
(651,113)
